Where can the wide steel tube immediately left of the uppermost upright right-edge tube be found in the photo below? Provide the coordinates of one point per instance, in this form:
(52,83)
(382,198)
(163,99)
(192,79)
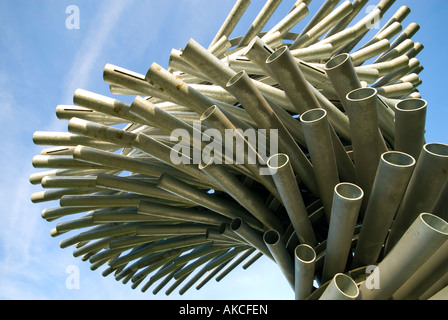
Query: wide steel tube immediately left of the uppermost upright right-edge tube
(367,148)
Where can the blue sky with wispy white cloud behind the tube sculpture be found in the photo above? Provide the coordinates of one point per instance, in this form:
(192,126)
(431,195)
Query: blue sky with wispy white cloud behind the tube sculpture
(43,63)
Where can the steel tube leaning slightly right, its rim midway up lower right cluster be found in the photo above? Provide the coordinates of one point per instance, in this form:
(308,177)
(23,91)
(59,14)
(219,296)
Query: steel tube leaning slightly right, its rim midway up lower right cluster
(346,205)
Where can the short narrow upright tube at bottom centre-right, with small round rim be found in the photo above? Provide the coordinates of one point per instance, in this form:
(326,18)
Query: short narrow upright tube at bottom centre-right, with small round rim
(304,267)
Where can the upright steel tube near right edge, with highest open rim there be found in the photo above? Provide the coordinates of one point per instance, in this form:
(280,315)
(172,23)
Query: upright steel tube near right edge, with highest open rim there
(410,120)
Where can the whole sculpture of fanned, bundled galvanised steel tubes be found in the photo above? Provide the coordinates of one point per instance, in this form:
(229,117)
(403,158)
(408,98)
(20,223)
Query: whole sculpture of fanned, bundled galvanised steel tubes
(339,188)
